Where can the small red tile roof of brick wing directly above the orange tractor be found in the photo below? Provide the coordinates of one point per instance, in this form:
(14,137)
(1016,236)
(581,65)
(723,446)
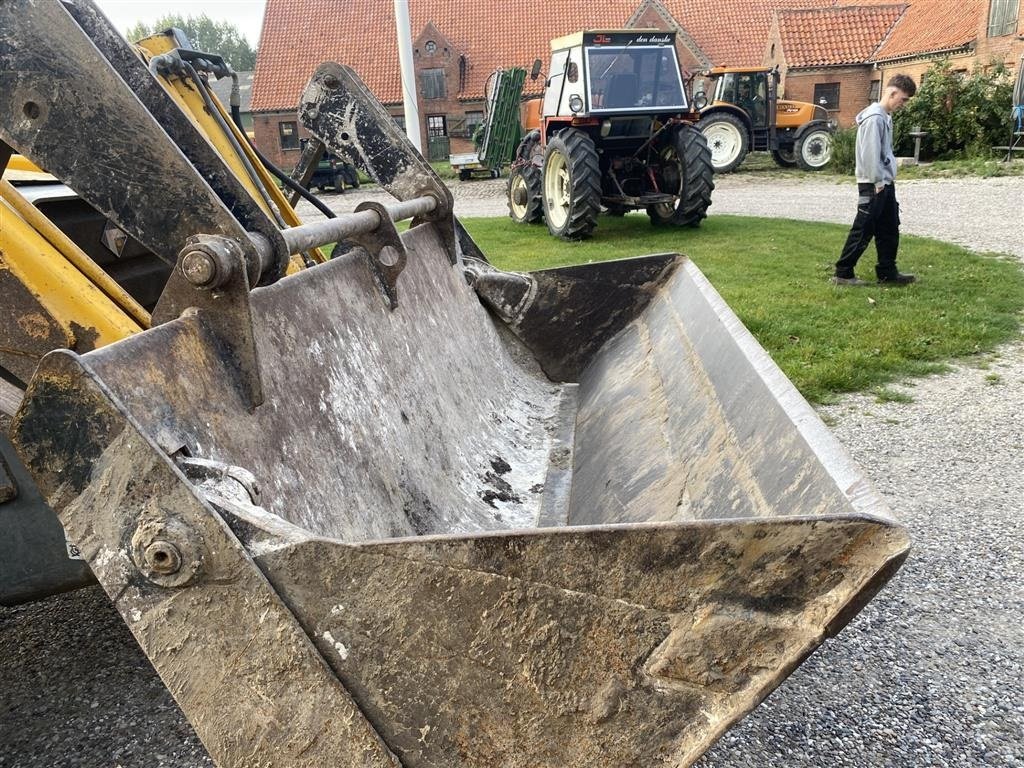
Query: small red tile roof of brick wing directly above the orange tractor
(824,37)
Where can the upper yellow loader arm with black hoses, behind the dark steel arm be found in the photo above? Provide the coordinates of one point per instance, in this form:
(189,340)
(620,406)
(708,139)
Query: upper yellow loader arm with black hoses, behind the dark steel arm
(192,104)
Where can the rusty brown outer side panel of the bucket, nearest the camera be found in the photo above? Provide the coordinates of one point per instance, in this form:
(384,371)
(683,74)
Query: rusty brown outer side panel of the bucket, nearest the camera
(574,649)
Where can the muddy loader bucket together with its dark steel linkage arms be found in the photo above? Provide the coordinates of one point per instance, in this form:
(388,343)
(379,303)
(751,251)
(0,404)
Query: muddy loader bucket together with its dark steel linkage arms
(404,508)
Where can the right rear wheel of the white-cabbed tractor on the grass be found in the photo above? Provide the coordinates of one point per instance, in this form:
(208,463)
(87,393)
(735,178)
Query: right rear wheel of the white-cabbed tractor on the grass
(687,172)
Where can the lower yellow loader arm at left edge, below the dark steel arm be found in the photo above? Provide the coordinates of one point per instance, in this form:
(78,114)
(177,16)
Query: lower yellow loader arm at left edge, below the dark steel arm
(68,295)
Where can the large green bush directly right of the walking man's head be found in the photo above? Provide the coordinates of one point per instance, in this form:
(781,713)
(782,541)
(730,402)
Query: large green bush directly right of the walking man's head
(965,116)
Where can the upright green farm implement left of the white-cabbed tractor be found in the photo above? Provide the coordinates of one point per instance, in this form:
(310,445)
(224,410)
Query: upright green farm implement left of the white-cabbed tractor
(500,133)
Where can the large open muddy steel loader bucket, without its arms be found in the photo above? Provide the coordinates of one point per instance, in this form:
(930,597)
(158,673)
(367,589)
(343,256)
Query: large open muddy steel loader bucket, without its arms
(402,455)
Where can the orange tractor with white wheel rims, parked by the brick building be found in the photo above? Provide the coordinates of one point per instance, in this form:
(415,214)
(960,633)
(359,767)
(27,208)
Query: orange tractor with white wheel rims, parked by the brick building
(746,115)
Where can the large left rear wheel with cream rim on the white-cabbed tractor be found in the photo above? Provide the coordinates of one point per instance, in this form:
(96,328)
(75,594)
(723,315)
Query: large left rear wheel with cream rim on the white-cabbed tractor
(572,185)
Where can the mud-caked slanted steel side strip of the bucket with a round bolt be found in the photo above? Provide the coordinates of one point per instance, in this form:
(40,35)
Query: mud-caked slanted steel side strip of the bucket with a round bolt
(166,563)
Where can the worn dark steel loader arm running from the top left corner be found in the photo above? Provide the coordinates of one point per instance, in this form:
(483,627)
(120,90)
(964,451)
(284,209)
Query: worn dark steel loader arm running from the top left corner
(53,77)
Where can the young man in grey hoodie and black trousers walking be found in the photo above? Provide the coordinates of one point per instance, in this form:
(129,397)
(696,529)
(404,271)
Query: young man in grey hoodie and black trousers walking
(878,211)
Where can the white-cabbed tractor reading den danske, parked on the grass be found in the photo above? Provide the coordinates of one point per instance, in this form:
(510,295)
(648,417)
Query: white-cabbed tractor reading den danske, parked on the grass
(616,131)
